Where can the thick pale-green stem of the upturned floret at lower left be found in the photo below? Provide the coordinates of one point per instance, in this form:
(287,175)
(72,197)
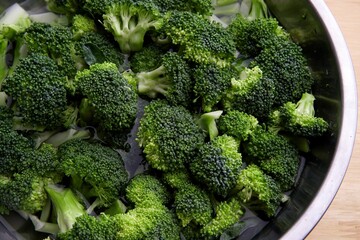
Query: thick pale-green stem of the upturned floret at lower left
(67,206)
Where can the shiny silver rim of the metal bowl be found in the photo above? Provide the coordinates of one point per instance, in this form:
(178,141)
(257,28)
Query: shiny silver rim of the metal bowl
(347,133)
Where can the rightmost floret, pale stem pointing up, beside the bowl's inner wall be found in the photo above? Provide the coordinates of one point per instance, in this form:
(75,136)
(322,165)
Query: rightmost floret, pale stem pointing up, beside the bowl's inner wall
(299,118)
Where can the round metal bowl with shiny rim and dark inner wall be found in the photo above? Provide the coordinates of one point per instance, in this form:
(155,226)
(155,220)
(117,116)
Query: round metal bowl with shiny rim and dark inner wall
(312,25)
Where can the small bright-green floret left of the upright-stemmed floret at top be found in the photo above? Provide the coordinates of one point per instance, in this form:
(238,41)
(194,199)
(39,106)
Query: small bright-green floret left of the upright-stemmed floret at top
(82,24)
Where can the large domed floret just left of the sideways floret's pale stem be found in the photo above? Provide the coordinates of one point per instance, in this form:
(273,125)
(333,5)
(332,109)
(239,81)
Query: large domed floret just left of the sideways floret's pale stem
(111,97)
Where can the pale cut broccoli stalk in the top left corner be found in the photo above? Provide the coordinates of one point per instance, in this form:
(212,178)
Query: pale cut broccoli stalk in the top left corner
(13,22)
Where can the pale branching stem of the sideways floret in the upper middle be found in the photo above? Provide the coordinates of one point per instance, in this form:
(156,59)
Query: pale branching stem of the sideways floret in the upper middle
(154,82)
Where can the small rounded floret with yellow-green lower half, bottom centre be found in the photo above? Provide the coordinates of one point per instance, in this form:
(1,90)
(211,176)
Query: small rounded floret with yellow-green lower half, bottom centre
(143,190)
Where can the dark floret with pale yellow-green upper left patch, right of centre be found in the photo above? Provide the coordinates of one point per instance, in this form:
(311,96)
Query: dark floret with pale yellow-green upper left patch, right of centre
(250,92)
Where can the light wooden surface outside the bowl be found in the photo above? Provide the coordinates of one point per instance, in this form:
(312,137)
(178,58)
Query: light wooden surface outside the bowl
(342,219)
